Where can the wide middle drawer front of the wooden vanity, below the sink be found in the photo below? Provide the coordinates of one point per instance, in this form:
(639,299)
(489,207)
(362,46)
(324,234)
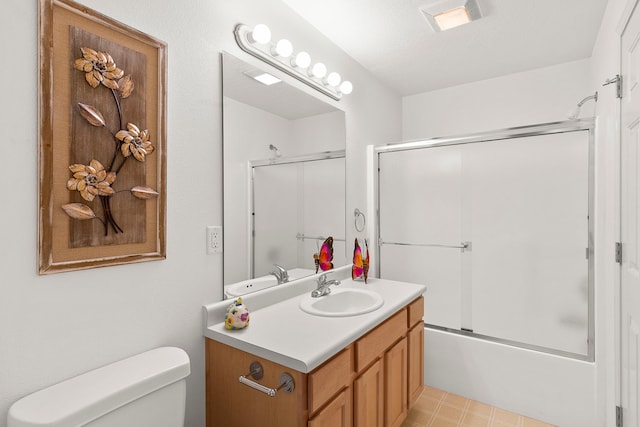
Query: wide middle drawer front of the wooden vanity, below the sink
(372,345)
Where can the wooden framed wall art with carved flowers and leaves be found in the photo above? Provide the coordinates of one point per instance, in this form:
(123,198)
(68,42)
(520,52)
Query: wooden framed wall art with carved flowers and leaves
(102,157)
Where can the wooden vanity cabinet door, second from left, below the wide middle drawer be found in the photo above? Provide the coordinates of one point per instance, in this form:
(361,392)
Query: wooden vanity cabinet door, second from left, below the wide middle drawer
(368,397)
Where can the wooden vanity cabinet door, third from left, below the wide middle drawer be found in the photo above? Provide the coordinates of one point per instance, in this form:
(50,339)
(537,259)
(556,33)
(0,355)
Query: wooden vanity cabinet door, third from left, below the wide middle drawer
(395,384)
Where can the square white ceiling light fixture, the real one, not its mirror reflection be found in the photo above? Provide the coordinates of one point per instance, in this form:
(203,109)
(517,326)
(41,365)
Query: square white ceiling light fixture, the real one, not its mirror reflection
(446,14)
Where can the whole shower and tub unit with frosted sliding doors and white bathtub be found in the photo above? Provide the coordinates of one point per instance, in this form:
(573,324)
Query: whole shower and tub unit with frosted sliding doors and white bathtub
(499,226)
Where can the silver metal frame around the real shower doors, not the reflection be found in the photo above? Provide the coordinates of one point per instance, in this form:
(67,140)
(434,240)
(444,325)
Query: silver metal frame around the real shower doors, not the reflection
(587,124)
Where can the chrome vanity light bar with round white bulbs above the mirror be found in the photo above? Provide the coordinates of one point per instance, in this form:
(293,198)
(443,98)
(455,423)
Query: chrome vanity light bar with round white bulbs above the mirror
(257,42)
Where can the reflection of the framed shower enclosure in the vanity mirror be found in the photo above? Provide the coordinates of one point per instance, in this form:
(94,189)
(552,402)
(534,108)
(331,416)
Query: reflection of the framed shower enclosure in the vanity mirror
(293,200)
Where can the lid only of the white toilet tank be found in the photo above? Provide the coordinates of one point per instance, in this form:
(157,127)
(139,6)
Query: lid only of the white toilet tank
(86,397)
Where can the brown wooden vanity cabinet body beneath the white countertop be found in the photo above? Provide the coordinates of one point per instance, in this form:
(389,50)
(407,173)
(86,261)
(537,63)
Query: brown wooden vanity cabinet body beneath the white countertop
(371,383)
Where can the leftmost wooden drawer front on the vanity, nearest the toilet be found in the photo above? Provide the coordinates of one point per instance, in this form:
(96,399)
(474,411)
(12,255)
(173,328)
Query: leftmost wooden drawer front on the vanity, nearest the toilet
(327,380)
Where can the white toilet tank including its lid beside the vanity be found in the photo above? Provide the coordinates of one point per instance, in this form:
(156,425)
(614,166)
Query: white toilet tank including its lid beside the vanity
(146,390)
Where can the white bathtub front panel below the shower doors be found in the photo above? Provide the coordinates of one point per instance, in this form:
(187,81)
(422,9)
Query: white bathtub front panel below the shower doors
(555,389)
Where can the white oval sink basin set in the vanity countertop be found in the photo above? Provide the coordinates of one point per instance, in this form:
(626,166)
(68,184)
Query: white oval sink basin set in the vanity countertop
(342,302)
